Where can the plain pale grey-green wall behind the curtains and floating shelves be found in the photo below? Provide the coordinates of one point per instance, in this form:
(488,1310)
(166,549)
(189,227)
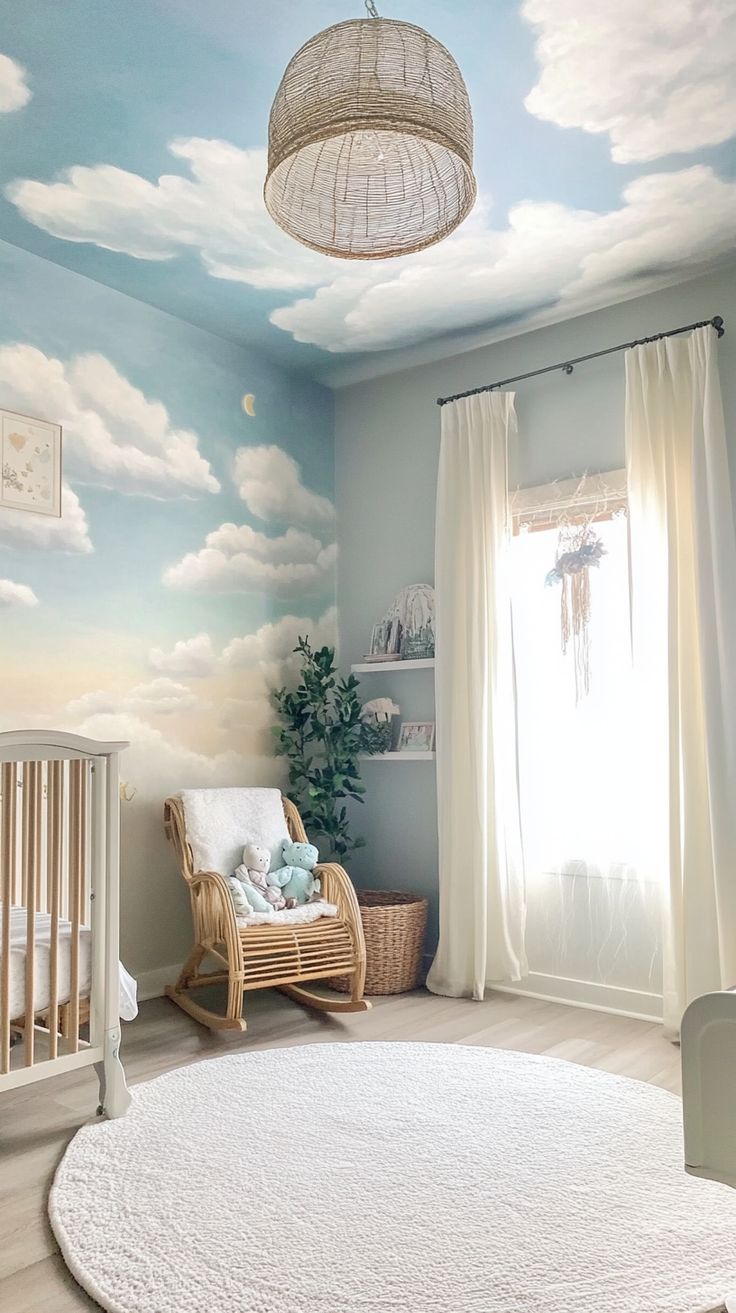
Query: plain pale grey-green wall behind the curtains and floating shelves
(388,439)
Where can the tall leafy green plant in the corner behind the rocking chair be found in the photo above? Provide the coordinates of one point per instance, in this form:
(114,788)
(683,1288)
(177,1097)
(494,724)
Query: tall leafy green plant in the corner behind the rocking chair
(322,735)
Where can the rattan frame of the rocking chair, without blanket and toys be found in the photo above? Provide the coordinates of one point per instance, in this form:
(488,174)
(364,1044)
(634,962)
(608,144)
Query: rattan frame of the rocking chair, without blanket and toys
(267,957)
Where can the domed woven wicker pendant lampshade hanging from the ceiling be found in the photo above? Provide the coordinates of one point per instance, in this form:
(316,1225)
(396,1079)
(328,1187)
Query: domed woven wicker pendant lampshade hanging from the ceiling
(371,142)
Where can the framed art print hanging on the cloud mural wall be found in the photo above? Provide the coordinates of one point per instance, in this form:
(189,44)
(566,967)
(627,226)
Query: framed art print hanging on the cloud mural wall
(31,452)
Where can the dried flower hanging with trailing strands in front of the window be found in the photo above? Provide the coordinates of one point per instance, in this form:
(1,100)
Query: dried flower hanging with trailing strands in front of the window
(579,548)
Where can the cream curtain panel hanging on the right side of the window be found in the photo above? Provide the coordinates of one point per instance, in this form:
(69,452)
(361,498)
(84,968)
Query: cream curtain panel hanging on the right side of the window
(684,628)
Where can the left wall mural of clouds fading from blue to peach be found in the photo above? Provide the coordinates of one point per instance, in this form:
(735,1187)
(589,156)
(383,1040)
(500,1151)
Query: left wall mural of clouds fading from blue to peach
(196,544)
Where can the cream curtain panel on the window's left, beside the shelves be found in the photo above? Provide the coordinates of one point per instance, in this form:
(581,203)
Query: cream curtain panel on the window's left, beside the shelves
(482,900)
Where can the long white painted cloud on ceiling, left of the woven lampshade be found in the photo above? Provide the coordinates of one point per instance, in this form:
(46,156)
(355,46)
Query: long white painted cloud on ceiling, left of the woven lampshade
(218,212)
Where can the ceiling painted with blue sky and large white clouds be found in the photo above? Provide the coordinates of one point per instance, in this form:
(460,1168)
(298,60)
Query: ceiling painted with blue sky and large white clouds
(604,154)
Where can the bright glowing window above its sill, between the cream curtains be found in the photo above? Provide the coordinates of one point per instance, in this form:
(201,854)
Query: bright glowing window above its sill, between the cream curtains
(578,787)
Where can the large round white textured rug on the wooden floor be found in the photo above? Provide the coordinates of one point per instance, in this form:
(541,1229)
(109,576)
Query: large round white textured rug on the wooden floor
(393,1178)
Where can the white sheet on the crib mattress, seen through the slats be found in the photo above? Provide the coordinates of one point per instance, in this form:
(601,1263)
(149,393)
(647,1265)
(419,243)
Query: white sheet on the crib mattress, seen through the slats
(43,966)
